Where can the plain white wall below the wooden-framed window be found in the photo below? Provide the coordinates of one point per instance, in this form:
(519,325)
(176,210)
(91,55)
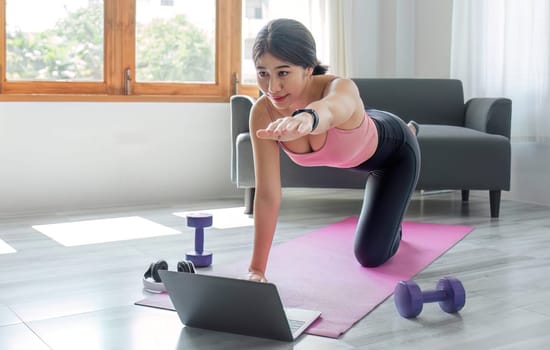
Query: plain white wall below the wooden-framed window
(71,156)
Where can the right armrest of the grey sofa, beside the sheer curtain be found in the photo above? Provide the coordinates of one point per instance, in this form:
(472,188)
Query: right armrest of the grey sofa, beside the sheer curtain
(490,115)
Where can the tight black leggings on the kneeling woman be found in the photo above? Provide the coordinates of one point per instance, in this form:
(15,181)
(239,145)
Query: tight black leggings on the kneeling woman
(393,174)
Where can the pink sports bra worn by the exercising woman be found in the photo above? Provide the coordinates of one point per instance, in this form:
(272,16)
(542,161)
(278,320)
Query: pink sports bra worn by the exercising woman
(342,148)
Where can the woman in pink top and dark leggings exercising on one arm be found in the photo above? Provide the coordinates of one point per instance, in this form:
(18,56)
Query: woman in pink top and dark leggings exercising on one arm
(320,120)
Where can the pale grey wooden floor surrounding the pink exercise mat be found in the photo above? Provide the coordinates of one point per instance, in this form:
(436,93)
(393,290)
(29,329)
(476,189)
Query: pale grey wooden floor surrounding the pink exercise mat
(56,297)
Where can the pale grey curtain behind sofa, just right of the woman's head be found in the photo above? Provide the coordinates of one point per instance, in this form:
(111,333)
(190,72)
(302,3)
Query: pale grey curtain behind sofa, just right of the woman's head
(369,38)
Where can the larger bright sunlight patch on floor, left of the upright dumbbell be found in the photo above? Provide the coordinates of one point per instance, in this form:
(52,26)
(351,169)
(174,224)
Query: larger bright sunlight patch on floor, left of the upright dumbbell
(104,230)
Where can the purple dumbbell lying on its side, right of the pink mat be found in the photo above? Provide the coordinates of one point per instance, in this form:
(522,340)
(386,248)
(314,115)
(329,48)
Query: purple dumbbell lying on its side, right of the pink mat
(409,299)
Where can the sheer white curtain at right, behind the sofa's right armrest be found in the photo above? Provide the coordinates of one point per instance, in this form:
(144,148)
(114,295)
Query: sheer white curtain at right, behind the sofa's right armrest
(501,48)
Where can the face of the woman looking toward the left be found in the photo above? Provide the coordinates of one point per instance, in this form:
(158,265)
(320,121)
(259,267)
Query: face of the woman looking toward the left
(282,82)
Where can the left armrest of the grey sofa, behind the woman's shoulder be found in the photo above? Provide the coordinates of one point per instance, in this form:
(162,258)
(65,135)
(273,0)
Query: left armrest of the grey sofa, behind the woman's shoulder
(240,106)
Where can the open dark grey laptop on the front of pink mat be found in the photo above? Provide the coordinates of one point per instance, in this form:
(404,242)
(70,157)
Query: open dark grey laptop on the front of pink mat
(234,305)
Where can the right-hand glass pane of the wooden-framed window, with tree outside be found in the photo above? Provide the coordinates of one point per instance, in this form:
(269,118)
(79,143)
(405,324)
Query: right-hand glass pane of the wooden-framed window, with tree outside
(174,44)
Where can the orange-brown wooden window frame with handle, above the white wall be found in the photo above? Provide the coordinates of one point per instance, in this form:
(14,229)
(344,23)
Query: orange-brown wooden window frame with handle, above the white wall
(119,63)
